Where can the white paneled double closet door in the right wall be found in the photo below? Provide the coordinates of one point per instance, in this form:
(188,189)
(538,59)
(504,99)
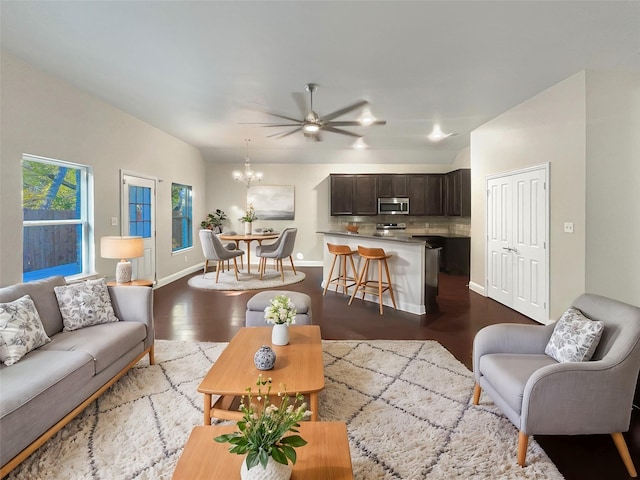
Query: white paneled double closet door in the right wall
(517,254)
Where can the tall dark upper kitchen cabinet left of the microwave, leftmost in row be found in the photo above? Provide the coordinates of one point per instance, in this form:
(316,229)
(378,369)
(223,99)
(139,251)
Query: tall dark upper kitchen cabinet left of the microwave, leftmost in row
(354,194)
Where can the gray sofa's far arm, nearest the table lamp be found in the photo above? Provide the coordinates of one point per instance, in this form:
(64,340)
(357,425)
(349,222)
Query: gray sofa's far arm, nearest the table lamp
(134,304)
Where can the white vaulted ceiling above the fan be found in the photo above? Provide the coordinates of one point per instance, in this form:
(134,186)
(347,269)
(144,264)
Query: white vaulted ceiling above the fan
(198,69)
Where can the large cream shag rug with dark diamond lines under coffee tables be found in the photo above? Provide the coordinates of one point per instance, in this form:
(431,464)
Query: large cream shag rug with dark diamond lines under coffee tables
(407,405)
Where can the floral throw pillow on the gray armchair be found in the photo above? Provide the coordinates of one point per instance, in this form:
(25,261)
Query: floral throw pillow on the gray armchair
(574,338)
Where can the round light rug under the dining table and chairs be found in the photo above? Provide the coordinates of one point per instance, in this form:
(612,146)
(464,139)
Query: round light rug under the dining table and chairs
(246,281)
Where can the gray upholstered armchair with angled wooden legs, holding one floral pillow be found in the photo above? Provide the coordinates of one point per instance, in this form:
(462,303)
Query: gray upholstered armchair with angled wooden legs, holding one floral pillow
(544,397)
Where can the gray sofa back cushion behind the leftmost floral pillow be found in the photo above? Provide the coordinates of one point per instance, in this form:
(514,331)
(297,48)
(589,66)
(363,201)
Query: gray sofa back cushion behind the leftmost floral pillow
(43,296)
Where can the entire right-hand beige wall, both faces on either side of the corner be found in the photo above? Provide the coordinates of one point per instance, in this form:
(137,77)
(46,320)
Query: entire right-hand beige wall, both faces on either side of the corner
(586,128)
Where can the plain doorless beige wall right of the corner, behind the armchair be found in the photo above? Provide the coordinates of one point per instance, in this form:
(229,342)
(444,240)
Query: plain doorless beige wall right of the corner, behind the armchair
(613,185)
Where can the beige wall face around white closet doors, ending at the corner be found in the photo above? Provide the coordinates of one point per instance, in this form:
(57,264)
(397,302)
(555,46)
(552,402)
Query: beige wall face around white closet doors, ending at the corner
(548,128)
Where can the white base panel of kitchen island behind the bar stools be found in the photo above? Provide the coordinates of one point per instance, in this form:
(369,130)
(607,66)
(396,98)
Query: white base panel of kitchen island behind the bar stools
(406,267)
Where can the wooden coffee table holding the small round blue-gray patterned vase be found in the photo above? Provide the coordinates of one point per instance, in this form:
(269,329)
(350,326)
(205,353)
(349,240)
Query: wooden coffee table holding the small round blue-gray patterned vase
(298,365)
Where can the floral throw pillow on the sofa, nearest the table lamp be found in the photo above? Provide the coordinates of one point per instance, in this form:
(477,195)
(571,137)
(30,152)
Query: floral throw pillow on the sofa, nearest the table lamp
(85,304)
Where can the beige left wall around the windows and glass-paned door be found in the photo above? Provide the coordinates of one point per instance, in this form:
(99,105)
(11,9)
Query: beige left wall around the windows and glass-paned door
(46,117)
